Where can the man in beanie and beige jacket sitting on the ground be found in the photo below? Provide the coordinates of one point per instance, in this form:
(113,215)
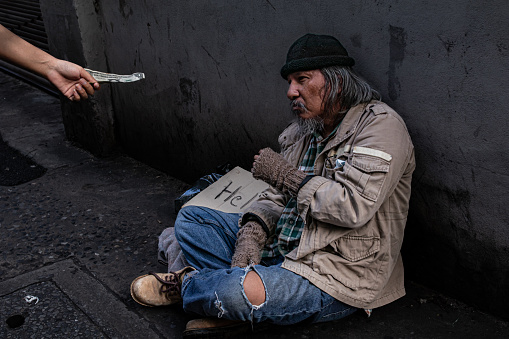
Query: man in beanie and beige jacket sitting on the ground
(324,240)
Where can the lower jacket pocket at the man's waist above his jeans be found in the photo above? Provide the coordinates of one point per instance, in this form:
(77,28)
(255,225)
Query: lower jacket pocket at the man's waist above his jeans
(356,248)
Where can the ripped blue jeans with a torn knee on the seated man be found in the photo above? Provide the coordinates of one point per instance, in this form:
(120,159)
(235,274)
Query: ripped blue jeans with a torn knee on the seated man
(207,238)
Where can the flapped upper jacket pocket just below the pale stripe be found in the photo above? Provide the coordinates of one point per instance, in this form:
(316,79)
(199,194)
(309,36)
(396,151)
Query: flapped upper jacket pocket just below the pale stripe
(367,173)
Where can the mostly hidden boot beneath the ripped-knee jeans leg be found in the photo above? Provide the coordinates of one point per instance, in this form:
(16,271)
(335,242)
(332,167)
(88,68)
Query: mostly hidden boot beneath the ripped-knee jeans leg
(216,328)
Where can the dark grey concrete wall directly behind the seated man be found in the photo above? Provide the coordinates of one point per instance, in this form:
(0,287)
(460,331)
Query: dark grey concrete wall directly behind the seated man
(213,94)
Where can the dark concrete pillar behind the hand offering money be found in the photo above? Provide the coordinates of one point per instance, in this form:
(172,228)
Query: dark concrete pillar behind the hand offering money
(75,31)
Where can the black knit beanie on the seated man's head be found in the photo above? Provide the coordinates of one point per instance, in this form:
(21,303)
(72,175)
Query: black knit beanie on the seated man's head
(315,52)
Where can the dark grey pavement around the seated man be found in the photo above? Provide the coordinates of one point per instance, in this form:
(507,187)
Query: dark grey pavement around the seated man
(73,239)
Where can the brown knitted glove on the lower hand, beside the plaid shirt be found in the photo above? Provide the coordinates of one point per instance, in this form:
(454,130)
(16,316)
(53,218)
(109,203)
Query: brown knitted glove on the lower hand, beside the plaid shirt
(250,240)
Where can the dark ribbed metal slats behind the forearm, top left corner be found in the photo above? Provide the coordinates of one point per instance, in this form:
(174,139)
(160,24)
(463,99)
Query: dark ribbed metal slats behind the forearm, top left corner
(24,18)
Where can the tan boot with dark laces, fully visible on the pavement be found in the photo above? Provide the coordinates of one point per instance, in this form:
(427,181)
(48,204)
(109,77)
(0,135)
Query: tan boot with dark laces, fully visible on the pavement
(159,289)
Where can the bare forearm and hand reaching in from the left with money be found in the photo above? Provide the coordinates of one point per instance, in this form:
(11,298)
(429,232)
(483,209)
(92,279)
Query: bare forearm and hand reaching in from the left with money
(70,79)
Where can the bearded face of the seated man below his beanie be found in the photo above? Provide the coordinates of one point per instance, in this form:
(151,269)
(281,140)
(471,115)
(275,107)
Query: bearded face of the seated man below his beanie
(306,91)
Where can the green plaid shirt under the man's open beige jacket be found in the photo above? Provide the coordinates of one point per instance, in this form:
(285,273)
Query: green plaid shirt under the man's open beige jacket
(290,225)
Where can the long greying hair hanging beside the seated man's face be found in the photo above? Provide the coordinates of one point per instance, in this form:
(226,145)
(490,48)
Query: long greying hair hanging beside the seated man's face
(345,89)
